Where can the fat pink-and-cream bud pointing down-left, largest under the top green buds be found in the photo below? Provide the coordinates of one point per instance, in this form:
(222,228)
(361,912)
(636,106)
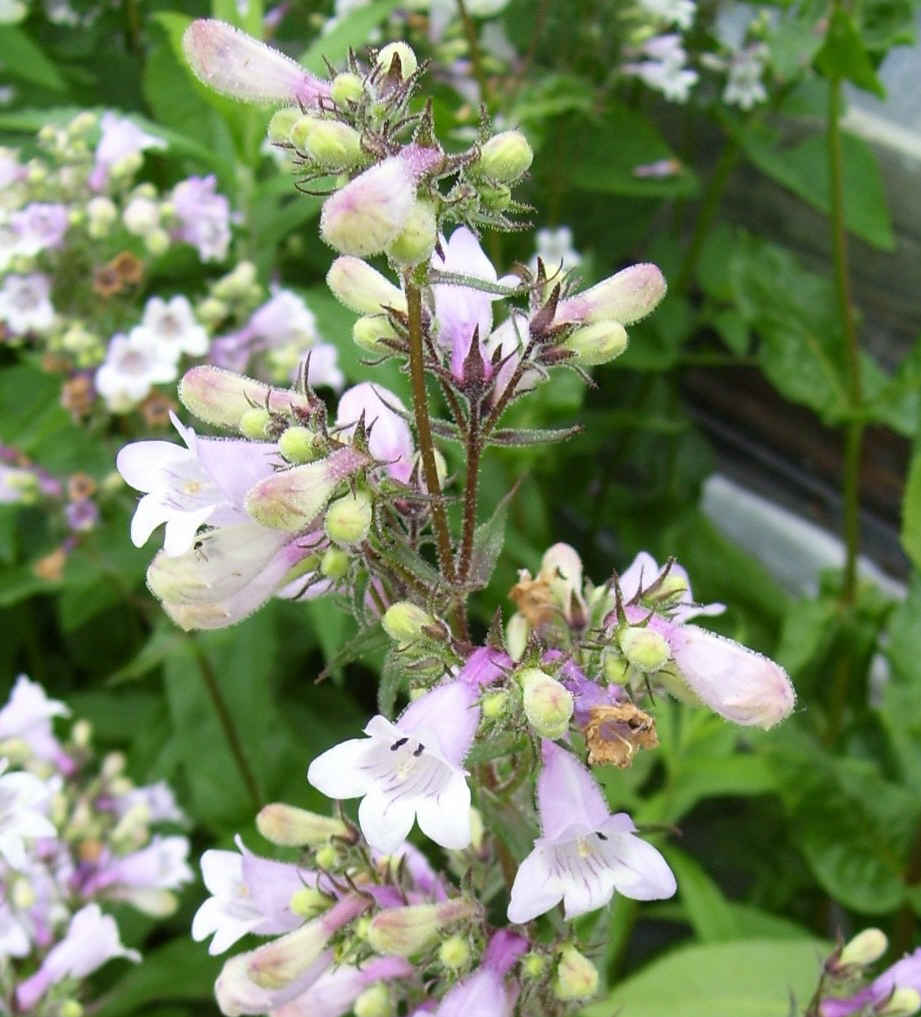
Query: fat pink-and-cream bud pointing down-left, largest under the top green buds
(369,214)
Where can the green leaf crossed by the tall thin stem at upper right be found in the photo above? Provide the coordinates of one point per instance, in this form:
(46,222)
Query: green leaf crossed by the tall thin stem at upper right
(804,168)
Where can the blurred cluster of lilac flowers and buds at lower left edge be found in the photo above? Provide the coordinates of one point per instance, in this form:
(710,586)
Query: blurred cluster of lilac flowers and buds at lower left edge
(75,834)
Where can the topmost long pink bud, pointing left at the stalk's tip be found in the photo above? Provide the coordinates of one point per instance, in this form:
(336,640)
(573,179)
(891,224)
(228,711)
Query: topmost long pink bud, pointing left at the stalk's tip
(235,65)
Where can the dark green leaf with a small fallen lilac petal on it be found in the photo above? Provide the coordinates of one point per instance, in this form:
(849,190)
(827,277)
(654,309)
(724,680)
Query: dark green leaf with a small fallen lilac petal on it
(603,154)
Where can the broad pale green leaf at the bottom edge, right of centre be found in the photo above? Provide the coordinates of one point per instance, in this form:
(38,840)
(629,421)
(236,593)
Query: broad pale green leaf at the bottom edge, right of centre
(749,979)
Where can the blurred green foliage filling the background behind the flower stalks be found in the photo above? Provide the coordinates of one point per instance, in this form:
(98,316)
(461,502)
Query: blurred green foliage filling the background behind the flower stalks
(812,830)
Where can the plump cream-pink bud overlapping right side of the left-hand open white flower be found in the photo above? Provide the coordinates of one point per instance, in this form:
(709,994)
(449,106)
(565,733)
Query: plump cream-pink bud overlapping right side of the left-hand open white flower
(291,500)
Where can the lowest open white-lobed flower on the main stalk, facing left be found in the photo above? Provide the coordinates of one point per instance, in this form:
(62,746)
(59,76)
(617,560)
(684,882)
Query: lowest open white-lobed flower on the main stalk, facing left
(250,894)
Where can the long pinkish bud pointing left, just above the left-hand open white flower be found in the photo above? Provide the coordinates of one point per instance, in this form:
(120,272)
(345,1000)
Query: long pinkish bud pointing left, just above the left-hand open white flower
(222,398)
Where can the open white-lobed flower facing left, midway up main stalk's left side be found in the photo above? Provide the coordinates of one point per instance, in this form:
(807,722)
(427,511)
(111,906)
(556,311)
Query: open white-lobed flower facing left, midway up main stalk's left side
(187,488)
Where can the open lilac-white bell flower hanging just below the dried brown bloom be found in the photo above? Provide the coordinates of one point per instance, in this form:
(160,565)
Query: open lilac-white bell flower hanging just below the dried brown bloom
(584,854)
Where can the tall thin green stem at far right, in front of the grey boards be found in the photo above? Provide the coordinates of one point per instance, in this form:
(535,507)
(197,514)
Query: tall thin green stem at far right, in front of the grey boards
(854,435)
